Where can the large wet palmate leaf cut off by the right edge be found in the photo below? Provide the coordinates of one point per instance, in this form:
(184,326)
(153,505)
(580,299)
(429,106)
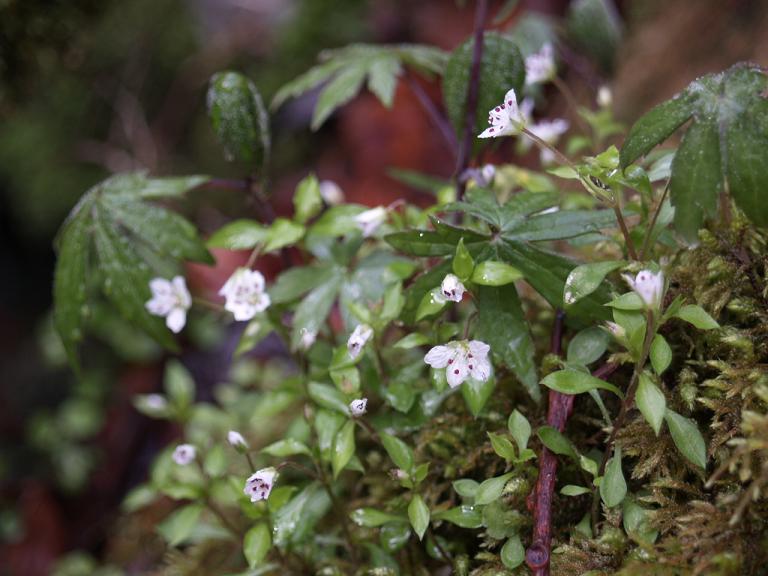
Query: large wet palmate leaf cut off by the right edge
(726,143)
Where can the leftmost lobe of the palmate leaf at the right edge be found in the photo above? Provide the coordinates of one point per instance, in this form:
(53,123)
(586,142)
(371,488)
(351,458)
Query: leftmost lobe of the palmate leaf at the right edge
(655,127)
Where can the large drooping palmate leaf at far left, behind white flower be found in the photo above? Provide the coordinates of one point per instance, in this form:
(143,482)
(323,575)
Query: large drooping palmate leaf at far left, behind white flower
(130,241)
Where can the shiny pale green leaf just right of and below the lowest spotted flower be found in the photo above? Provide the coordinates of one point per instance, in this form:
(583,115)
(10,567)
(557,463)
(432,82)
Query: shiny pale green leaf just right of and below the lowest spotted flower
(293,522)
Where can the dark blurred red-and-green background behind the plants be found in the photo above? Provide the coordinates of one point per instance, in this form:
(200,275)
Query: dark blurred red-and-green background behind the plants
(93,87)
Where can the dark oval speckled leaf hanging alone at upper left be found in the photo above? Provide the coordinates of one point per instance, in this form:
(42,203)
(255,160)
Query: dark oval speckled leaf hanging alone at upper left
(239,119)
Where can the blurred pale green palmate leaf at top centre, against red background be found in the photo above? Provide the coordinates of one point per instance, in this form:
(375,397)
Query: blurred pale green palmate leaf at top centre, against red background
(347,69)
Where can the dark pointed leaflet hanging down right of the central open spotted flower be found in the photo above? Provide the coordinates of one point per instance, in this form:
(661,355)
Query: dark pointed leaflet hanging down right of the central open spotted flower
(501,324)
